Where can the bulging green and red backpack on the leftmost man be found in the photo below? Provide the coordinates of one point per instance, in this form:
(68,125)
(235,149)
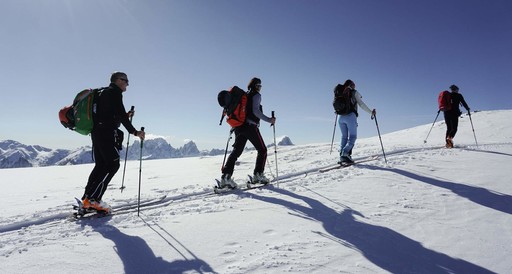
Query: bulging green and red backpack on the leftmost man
(79,116)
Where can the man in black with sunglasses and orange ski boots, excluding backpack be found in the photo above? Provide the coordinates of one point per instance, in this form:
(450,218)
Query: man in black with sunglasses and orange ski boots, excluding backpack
(106,137)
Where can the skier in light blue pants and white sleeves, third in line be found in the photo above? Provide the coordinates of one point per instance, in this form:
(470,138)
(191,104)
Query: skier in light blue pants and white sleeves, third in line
(348,123)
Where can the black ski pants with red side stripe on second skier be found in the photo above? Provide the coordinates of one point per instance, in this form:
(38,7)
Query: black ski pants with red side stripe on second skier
(243,134)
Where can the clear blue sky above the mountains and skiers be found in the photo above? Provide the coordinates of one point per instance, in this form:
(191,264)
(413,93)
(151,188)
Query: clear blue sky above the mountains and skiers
(180,54)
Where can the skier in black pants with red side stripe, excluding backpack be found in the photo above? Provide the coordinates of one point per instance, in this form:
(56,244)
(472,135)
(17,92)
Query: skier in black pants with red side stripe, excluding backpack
(249,131)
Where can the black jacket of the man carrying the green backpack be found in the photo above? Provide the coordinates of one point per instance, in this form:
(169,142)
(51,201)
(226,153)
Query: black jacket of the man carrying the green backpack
(110,112)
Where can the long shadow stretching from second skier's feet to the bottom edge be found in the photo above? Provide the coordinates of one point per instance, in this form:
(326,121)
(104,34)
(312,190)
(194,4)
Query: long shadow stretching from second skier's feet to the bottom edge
(382,246)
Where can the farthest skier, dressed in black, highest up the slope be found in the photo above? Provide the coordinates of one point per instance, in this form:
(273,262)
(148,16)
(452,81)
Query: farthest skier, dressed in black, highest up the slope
(451,117)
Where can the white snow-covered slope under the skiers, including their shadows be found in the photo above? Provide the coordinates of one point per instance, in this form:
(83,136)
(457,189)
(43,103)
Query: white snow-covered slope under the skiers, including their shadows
(428,210)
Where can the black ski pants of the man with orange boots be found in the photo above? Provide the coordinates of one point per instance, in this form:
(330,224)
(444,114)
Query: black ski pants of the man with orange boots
(106,158)
